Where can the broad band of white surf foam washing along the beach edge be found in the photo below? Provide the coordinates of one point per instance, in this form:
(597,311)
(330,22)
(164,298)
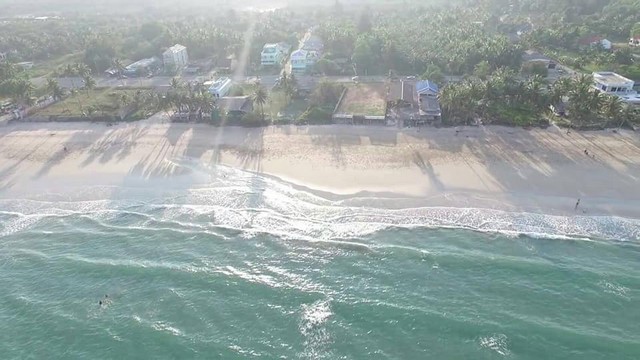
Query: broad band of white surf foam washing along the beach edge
(251,204)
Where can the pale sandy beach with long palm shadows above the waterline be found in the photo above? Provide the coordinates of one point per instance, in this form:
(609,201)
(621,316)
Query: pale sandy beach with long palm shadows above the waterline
(537,170)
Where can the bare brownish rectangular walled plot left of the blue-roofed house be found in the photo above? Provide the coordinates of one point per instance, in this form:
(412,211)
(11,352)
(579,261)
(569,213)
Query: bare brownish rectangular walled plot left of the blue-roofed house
(364,99)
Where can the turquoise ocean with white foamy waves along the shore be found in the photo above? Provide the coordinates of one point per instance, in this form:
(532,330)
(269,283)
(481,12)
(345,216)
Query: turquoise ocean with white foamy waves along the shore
(227,264)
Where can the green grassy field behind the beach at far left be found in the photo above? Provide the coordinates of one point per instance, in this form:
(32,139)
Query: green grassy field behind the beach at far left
(102,102)
